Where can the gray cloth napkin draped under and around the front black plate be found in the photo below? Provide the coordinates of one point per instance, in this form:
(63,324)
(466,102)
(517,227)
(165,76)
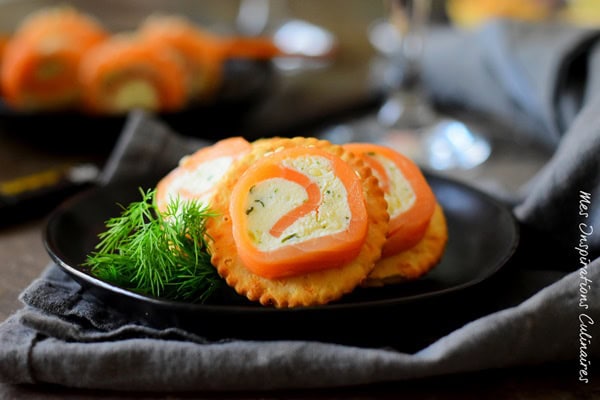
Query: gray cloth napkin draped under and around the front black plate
(65,336)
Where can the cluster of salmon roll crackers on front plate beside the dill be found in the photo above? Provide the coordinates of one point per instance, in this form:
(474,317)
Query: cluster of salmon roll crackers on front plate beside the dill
(302,222)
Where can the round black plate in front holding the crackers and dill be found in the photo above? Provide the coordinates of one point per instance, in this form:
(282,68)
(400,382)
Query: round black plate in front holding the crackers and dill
(483,235)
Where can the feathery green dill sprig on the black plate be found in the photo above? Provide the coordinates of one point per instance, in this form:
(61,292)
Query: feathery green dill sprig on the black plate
(160,254)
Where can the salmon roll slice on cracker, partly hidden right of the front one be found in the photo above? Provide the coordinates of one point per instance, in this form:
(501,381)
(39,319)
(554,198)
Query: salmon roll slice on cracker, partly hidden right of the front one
(417,223)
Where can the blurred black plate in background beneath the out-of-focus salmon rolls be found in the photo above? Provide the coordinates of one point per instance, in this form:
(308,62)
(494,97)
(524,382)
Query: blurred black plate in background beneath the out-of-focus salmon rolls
(246,84)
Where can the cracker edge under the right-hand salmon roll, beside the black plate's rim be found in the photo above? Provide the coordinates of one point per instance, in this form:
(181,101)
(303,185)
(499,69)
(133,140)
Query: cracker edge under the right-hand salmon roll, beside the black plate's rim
(416,261)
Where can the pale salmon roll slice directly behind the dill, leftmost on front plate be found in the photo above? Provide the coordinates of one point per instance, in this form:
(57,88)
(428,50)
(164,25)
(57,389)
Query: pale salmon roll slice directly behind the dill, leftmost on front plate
(197,174)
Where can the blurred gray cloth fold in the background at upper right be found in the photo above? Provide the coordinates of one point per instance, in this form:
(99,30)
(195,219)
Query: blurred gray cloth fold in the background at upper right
(532,78)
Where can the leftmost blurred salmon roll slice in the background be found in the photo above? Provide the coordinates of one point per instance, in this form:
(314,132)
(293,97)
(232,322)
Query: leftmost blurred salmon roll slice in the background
(40,63)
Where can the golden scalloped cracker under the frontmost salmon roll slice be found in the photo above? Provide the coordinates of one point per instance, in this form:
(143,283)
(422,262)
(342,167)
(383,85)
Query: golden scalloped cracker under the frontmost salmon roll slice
(308,289)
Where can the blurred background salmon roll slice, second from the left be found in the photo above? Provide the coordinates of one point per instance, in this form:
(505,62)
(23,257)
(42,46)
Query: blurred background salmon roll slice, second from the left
(127,72)
